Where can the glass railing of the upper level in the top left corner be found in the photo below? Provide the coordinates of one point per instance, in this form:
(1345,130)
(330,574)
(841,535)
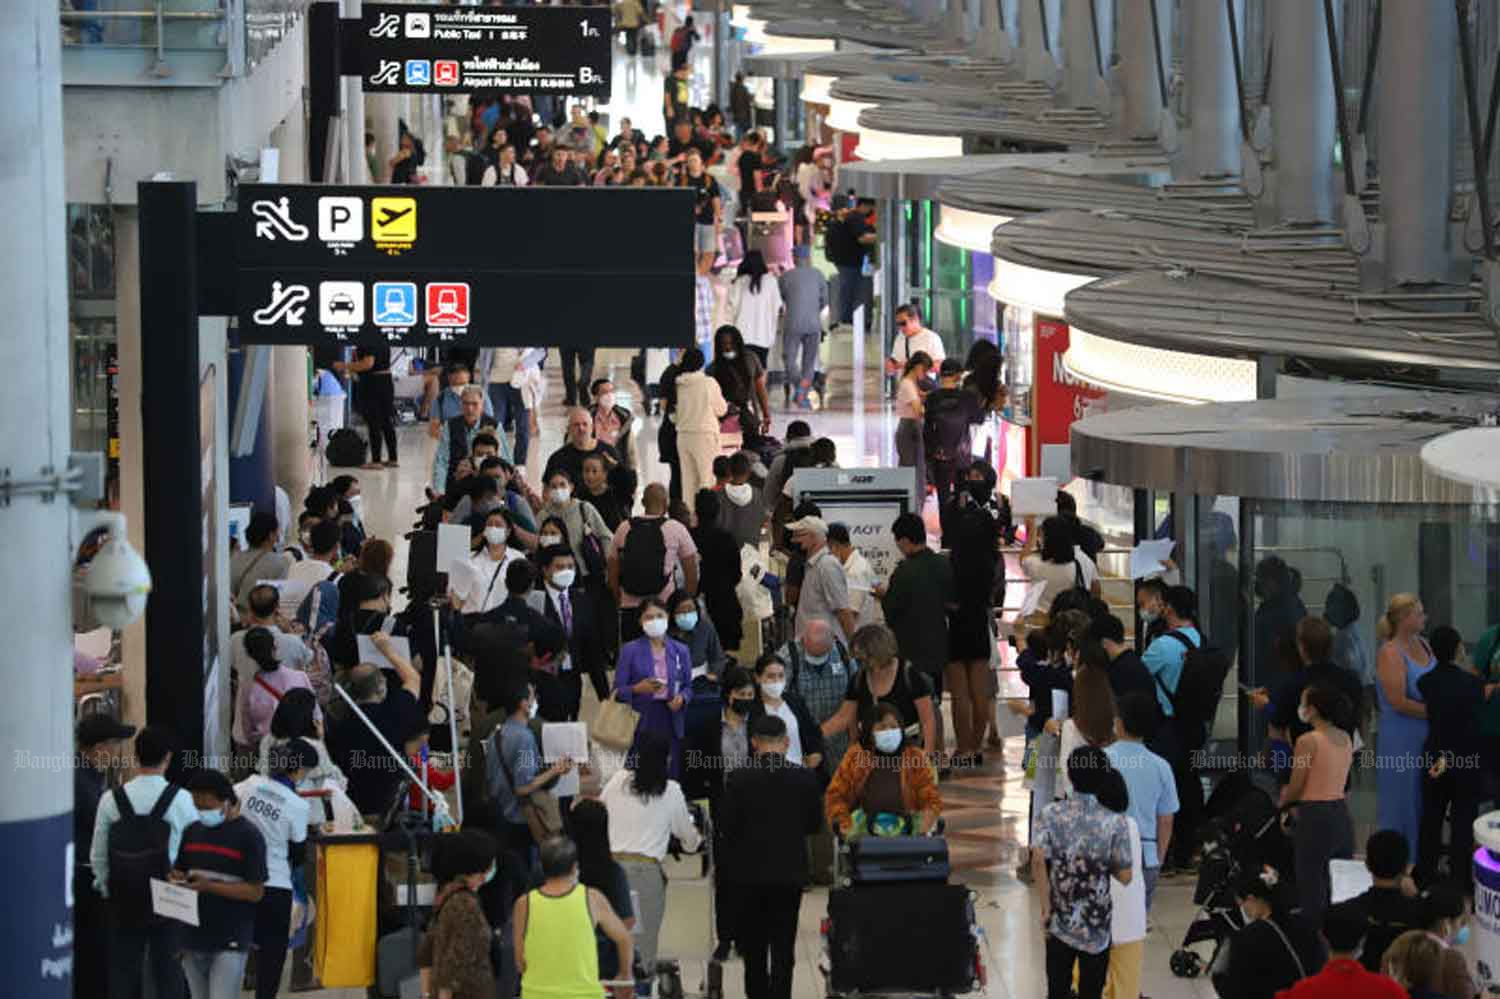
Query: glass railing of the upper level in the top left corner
(172,41)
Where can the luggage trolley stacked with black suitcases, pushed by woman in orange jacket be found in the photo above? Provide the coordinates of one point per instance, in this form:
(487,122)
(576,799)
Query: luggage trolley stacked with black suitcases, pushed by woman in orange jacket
(934,950)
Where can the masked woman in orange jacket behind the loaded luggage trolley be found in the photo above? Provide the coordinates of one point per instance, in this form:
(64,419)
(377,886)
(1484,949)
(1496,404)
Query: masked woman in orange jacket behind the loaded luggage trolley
(884,775)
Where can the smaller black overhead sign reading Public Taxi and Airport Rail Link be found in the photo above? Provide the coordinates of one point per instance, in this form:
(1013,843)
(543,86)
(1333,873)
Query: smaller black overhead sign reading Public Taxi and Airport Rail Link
(434,49)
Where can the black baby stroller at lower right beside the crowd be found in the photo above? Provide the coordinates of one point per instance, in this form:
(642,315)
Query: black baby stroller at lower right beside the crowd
(1243,833)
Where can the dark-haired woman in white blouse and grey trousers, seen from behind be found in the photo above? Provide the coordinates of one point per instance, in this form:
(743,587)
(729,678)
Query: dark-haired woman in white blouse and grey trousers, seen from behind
(646,811)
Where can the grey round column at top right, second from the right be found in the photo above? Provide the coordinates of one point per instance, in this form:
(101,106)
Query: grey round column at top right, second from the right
(1303,115)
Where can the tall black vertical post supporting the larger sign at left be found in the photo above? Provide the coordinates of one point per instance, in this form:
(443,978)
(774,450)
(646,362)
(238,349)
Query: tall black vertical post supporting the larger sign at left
(172,436)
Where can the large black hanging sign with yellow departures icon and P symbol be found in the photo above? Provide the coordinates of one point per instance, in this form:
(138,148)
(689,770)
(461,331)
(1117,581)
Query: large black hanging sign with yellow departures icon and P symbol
(481,266)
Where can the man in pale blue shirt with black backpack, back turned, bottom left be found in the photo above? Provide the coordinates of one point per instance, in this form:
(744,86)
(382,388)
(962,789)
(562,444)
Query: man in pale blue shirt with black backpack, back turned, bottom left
(134,932)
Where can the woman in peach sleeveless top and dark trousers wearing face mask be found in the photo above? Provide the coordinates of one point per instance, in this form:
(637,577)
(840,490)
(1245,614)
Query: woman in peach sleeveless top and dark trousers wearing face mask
(1319,775)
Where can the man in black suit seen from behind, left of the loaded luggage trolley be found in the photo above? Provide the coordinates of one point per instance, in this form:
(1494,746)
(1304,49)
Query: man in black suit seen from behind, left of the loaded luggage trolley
(770,809)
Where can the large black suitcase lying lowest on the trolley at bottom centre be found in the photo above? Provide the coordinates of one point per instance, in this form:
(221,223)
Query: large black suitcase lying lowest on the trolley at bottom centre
(910,938)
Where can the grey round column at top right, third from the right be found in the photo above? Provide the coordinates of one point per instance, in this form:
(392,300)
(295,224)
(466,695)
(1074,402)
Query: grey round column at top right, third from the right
(1213,101)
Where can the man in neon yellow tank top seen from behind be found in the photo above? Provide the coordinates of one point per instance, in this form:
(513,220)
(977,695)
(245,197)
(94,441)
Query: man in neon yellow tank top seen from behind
(554,932)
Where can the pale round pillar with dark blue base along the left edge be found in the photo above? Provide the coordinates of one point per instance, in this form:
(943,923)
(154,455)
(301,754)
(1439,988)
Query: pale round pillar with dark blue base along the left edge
(37,848)
